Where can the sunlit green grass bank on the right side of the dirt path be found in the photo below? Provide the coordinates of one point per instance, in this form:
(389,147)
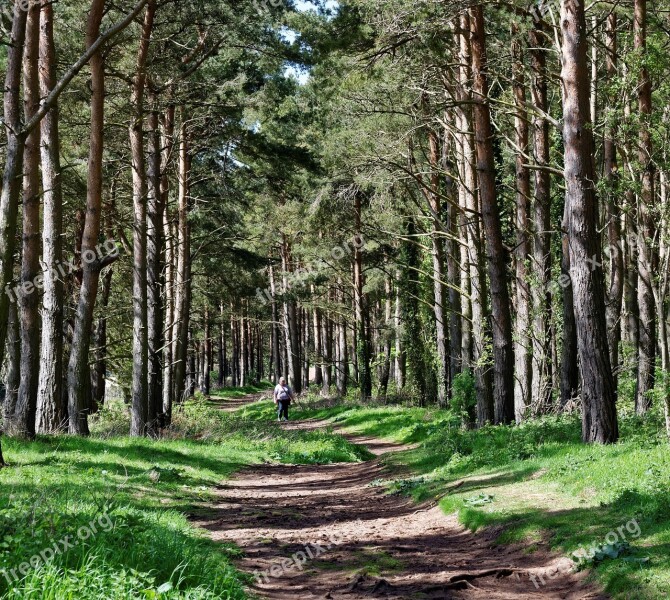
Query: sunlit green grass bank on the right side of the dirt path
(538,483)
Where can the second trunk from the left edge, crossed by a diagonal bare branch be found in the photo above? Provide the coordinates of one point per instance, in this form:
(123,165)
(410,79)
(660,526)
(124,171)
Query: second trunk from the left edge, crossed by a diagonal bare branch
(26,404)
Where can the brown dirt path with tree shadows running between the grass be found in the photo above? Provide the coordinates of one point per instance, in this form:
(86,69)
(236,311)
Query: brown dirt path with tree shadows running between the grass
(329,532)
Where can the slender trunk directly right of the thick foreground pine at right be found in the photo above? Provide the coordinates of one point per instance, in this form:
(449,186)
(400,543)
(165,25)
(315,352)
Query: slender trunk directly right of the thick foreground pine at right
(616,285)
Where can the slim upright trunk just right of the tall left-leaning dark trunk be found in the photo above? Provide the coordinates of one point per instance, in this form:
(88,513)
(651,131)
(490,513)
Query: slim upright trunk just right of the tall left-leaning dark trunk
(523,347)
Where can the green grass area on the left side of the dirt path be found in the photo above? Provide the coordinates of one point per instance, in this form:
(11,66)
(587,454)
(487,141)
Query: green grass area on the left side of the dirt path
(136,493)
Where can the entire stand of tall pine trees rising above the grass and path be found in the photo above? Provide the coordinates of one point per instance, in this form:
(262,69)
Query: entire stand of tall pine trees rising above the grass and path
(456,205)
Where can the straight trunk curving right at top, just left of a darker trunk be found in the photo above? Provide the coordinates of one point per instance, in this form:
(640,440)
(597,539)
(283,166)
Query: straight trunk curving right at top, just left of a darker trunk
(140,381)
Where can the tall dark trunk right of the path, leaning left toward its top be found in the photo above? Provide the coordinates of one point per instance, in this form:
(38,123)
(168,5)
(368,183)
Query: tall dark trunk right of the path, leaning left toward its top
(503,353)
